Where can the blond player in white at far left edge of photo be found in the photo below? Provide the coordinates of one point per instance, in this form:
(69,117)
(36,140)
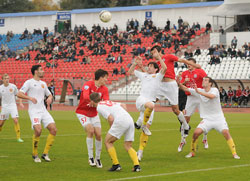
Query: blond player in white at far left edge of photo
(8,94)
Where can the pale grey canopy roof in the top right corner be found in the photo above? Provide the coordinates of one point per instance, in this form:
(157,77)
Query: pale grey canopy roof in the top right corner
(232,9)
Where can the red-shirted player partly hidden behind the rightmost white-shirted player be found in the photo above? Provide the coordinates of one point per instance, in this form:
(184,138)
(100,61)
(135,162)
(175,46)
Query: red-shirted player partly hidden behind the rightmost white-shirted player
(191,78)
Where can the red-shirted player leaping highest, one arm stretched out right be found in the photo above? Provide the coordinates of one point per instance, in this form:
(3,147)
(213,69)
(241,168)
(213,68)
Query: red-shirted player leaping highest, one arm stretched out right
(169,88)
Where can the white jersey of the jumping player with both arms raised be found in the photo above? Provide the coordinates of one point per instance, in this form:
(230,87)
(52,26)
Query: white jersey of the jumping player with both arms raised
(149,84)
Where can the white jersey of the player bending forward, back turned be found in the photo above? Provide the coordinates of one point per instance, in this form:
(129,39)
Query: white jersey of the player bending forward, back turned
(107,108)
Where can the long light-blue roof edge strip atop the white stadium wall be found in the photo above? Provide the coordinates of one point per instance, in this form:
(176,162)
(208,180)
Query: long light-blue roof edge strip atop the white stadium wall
(129,8)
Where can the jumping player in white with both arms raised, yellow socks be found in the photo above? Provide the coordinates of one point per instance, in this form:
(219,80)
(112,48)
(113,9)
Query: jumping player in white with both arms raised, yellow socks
(145,103)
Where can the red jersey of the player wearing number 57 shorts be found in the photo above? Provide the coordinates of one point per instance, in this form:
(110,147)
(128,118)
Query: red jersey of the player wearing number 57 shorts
(87,89)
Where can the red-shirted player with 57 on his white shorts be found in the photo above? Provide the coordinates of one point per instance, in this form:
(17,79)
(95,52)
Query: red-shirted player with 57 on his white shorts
(88,116)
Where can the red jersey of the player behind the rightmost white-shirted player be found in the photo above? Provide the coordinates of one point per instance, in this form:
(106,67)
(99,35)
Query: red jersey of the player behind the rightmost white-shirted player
(195,77)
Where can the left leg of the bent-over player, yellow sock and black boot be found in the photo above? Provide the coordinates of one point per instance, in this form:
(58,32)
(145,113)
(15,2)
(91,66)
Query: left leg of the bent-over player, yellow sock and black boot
(109,141)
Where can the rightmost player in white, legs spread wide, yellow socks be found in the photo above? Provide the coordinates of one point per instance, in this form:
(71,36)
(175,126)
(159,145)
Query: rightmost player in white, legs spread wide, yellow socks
(211,114)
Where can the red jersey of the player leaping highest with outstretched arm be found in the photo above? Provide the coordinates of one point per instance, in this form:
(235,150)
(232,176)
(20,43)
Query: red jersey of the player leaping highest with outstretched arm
(169,61)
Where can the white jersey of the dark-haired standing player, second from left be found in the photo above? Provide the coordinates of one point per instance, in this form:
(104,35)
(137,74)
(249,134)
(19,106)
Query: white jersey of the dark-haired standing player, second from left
(37,90)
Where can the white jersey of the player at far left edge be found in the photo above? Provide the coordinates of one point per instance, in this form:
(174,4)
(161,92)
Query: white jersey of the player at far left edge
(8,95)
